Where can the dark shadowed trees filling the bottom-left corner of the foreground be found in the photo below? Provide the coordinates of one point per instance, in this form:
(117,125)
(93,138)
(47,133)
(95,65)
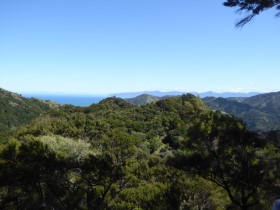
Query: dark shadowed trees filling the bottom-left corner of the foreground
(35,177)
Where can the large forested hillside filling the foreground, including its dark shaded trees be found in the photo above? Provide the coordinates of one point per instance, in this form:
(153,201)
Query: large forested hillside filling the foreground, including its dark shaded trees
(172,154)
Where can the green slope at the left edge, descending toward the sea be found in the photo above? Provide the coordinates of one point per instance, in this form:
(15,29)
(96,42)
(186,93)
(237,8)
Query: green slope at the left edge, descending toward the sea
(16,110)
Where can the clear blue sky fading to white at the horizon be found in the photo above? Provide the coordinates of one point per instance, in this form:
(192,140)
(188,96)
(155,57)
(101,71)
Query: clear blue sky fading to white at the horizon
(109,46)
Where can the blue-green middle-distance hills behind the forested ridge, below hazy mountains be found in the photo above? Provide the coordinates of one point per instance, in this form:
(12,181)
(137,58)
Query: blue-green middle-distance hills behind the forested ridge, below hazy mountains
(260,112)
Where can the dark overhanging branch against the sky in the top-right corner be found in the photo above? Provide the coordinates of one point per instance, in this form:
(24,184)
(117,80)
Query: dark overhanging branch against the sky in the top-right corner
(252,7)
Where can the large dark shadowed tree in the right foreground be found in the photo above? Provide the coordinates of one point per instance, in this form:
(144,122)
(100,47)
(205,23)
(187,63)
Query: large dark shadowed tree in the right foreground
(220,149)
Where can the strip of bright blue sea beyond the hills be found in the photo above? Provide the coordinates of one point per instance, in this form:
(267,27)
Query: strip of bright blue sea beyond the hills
(76,100)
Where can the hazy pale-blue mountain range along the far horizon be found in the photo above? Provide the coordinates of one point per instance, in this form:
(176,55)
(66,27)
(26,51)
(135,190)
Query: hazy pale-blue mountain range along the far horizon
(178,93)
